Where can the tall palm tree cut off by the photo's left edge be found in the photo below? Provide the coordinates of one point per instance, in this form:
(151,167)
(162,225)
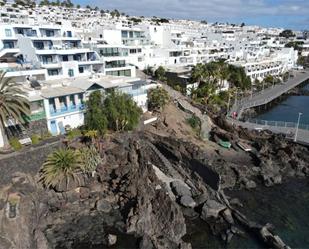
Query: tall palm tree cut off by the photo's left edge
(13,104)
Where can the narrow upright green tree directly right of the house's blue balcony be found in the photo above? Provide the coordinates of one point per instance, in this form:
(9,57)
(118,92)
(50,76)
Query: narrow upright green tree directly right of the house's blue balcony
(95,118)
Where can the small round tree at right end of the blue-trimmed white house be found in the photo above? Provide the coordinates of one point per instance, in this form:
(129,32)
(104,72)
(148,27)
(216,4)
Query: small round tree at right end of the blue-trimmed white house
(157,98)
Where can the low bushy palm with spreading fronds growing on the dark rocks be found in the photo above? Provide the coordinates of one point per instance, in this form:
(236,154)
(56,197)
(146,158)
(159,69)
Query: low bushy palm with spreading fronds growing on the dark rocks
(60,167)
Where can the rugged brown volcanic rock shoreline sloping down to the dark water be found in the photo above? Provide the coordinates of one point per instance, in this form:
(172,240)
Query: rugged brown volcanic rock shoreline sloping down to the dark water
(146,188)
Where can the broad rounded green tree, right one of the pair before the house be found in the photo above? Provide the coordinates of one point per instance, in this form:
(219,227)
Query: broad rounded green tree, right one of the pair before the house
(121,112)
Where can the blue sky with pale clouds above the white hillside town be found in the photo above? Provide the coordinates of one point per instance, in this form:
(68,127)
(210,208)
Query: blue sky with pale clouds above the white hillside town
(292,14)
